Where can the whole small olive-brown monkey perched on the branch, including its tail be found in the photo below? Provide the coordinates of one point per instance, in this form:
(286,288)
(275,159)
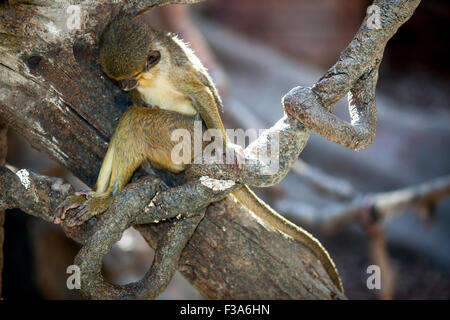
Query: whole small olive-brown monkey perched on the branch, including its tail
(169,89)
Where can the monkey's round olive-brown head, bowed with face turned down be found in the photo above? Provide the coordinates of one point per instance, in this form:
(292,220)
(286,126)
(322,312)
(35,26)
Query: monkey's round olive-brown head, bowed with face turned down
(128,51)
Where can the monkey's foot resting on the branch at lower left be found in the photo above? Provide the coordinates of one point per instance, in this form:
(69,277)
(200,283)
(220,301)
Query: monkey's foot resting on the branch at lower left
(90,208)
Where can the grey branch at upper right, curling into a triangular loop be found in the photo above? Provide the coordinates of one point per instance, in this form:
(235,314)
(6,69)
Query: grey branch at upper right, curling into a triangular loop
(356,73)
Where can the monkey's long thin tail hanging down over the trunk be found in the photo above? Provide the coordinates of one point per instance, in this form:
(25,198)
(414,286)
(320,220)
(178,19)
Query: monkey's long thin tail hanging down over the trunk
(263,211)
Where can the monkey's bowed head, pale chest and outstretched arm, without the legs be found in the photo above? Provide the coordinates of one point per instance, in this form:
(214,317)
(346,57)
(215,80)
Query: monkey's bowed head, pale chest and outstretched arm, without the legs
(160,70)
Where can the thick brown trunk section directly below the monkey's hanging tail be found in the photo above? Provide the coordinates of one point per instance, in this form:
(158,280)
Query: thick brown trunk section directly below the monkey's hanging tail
(245,259)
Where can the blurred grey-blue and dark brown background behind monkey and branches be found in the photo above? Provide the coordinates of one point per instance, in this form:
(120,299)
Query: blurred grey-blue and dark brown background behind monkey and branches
(256,51)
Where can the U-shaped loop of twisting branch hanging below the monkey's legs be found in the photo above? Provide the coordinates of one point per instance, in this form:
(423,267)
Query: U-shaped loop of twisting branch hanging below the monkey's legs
(120,216)
